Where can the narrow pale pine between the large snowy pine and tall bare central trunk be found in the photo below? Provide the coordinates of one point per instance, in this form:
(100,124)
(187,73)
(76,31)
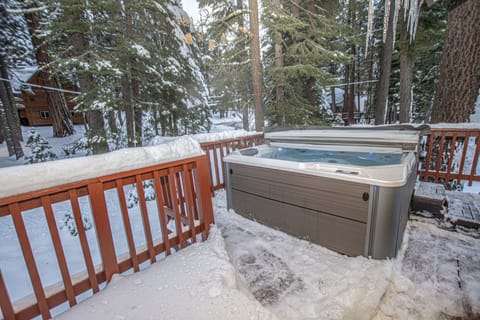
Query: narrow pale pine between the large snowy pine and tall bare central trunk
(228,61)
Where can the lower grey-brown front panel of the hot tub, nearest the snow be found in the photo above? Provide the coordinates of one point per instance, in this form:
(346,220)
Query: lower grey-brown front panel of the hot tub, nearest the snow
(336,233)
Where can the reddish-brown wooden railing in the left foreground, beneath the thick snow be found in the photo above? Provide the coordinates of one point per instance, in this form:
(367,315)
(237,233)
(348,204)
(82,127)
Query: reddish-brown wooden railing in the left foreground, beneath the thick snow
(182,194)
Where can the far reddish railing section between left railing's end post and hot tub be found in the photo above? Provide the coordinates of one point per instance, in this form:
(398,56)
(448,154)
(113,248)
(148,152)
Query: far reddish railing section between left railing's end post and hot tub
(217,150)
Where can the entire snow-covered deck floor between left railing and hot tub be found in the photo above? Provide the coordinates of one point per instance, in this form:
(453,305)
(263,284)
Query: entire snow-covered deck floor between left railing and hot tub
(249,271)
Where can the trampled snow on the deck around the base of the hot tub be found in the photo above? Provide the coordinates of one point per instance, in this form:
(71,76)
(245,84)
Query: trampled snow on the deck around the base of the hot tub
(435,276)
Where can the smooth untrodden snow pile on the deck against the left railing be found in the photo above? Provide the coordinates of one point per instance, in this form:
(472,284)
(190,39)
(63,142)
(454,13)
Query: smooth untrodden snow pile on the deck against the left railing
(197,282)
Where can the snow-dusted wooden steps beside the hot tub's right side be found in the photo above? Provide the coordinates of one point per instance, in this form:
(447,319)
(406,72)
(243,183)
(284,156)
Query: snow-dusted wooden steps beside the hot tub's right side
(458,208)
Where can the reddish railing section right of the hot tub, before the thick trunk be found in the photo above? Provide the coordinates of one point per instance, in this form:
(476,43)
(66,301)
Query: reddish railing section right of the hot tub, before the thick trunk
(450,155)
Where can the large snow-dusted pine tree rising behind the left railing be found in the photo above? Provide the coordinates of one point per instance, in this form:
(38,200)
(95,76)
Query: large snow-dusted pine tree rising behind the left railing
(134,65)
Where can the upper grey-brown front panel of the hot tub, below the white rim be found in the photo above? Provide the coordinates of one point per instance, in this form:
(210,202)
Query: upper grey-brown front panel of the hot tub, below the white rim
(335,197)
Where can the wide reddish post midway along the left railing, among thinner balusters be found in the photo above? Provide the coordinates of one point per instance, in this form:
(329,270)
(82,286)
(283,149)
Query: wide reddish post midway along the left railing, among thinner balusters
(104,232)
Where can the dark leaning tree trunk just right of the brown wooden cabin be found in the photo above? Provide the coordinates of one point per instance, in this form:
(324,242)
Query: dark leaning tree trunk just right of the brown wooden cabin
(57,105)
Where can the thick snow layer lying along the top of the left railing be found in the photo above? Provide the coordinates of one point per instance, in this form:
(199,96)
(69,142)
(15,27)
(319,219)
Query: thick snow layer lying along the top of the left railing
(18,180)
